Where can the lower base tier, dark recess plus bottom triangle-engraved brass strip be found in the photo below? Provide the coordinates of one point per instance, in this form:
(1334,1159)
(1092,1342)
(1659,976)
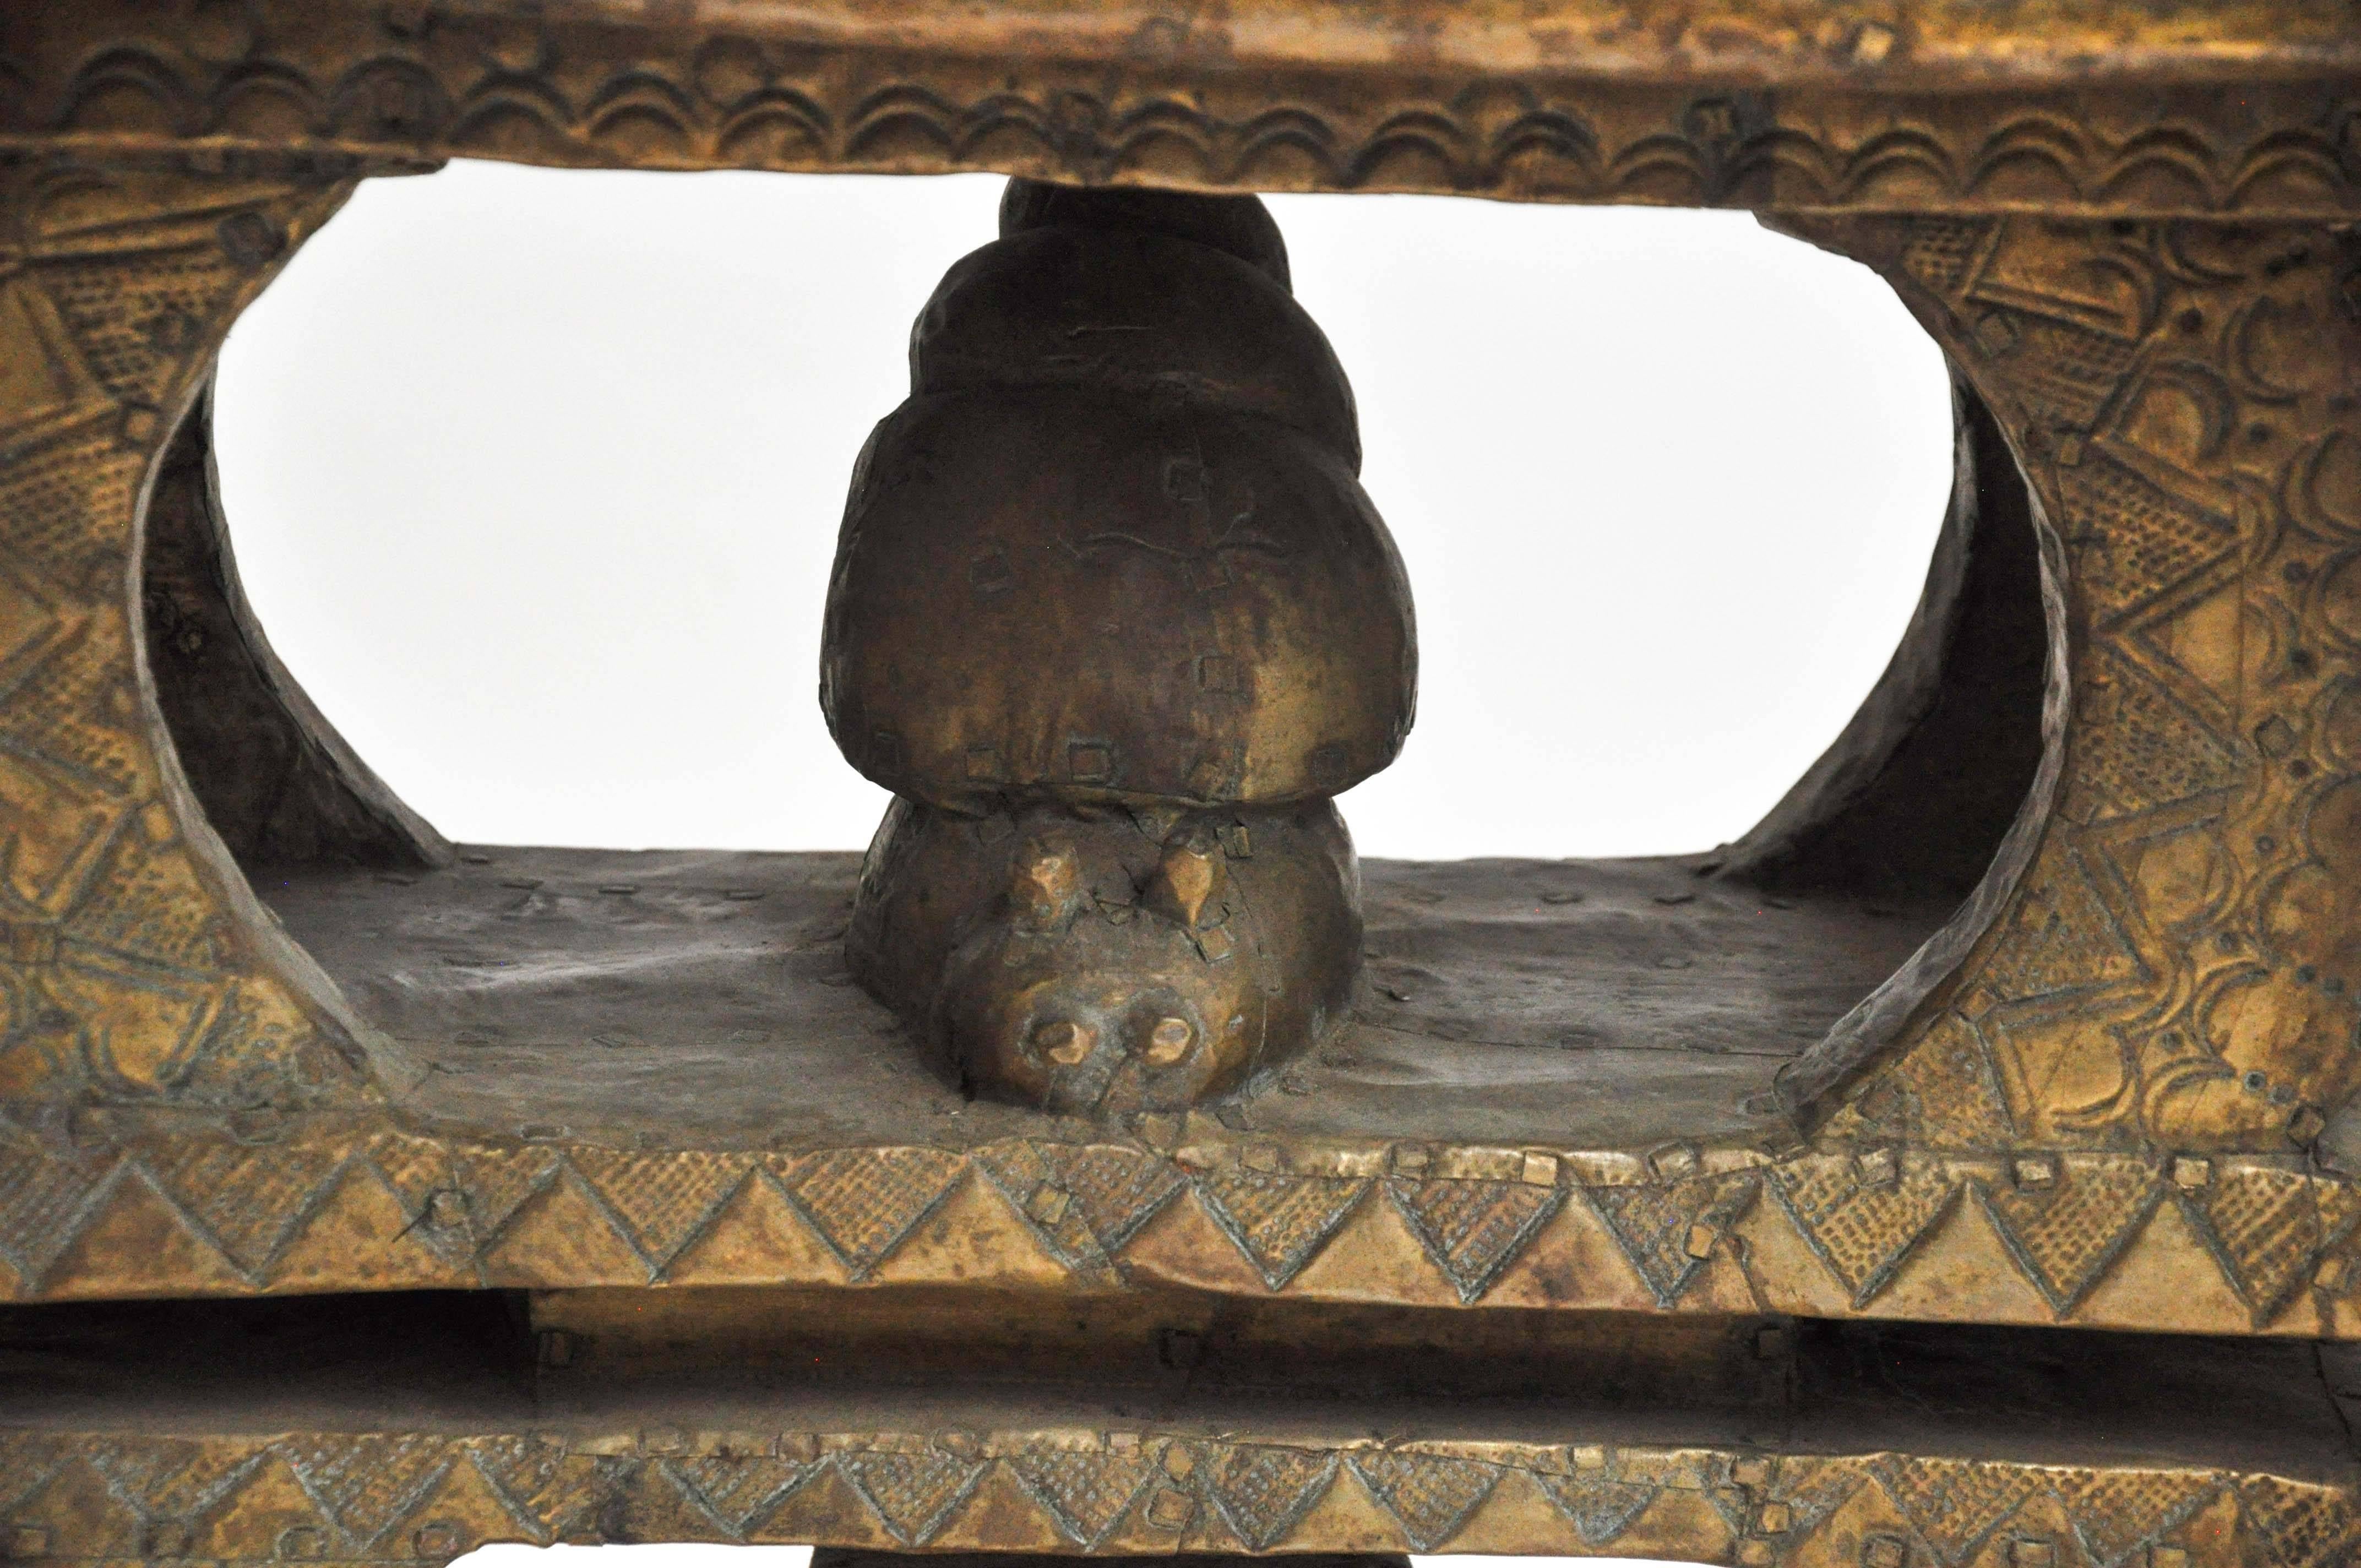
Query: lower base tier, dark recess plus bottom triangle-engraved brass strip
(1184,1427)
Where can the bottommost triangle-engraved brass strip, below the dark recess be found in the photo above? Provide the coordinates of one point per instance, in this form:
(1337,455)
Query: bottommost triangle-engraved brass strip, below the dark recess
(433,1496)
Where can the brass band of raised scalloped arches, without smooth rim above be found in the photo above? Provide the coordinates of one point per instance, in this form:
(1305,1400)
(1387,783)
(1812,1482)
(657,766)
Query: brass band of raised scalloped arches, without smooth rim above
(412,81)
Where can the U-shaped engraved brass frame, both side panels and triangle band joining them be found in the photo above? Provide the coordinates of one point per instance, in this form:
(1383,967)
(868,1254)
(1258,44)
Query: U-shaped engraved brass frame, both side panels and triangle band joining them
(2110,1102)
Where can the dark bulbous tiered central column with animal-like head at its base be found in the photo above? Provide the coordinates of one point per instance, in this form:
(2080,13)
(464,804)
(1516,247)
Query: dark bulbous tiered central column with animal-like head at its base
(1116,622)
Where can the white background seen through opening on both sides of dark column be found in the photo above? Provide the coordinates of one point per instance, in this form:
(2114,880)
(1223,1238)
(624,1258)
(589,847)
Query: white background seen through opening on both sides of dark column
(535,483)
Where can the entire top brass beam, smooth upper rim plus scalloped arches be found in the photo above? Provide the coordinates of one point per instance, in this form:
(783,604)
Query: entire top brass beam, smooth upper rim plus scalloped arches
(2079,105)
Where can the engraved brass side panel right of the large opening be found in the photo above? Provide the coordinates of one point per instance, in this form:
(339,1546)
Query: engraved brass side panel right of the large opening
(2176,398)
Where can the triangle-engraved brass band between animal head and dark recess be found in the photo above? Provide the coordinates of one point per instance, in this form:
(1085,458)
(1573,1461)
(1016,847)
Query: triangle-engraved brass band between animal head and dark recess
(419,1213)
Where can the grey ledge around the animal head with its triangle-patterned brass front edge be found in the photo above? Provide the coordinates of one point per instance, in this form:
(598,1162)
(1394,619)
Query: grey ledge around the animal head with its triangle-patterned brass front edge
(634,1069)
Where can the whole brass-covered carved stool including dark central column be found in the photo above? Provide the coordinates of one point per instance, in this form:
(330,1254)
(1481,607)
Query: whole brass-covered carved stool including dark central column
(1755,1208)
